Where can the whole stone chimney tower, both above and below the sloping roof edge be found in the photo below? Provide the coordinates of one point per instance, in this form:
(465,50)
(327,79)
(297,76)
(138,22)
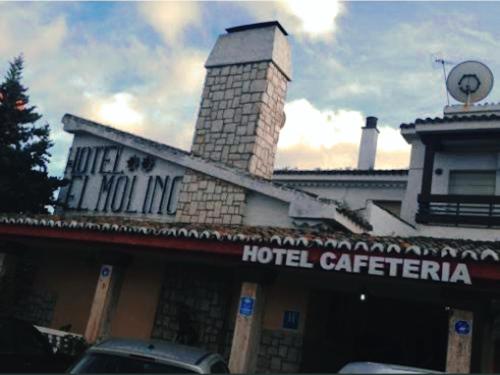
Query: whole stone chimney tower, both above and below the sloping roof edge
(240,117)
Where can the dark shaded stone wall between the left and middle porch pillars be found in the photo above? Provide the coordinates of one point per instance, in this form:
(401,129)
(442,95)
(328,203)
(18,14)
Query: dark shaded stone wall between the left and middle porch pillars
(194,308)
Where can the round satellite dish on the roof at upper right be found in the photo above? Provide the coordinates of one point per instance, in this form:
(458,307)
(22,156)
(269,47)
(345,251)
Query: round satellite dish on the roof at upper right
(469,82)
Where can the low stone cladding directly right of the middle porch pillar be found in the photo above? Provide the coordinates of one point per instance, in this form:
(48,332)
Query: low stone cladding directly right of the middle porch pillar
(280,352)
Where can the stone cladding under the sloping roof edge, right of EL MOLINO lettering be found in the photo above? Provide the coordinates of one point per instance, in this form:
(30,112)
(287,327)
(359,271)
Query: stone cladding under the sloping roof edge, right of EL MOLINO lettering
(207,200)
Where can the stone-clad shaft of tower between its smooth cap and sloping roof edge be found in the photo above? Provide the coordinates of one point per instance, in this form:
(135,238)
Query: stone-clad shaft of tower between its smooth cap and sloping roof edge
(241,115)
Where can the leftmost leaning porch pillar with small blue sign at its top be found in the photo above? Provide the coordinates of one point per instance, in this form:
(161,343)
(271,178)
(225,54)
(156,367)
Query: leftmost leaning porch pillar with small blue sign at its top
(105,297)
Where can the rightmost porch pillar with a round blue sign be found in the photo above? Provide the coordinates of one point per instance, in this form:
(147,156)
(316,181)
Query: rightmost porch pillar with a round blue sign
(459,341)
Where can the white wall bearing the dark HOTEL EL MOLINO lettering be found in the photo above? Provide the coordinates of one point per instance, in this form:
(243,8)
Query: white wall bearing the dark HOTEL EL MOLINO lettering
(126,192)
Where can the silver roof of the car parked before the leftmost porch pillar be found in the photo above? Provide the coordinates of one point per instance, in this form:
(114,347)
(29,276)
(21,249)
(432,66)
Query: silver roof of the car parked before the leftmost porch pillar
(158,349)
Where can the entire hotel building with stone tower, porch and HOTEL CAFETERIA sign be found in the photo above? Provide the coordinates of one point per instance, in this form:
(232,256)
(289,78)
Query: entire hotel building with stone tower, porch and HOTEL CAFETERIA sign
(278,270)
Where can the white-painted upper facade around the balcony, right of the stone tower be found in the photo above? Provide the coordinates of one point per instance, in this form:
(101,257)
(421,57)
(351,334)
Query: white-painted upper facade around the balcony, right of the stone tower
(365,191)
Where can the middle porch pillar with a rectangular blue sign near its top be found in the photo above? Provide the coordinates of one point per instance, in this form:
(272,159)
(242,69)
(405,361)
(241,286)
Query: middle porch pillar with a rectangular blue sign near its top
(247,330)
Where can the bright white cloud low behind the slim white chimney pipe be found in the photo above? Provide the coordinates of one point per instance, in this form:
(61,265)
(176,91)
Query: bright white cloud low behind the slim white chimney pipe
(312,138)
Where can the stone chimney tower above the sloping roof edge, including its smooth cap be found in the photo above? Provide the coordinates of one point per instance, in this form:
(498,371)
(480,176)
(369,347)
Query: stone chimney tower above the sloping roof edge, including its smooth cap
(241,112)
